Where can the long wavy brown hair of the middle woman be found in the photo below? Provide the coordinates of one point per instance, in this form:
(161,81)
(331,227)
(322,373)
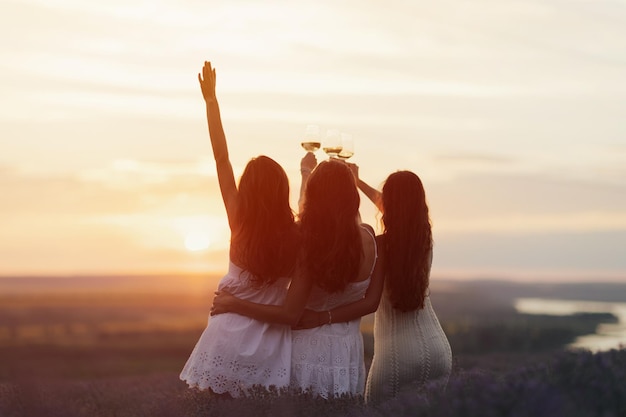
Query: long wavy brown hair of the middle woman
(331,238)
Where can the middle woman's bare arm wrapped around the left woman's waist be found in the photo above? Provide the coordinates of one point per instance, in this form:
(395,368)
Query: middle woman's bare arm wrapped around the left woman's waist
(289,313)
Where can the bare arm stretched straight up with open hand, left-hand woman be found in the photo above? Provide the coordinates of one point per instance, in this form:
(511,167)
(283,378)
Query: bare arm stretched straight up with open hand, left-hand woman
(225,174)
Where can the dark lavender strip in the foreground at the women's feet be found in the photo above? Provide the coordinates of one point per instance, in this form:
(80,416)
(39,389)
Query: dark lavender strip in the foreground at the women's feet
(566,384)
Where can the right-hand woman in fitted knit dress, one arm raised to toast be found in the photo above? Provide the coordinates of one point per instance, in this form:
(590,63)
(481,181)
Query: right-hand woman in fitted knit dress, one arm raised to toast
(410,347)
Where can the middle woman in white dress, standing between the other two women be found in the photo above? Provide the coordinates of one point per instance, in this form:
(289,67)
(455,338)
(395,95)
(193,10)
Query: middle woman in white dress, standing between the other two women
(337,267)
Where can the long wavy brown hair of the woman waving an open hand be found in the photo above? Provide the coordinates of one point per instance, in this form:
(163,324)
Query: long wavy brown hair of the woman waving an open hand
(264,237)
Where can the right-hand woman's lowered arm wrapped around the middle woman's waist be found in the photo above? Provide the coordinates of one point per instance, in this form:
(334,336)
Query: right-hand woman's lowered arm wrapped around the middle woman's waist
(368,304)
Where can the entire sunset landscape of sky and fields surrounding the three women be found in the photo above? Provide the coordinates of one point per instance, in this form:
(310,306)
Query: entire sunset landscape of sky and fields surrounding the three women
(511,112)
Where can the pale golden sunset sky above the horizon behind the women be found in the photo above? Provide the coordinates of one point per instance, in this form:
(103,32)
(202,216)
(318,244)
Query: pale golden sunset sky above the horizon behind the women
(512,112)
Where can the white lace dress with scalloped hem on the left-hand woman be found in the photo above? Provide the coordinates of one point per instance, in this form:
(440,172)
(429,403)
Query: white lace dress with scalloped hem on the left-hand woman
(235,352)
